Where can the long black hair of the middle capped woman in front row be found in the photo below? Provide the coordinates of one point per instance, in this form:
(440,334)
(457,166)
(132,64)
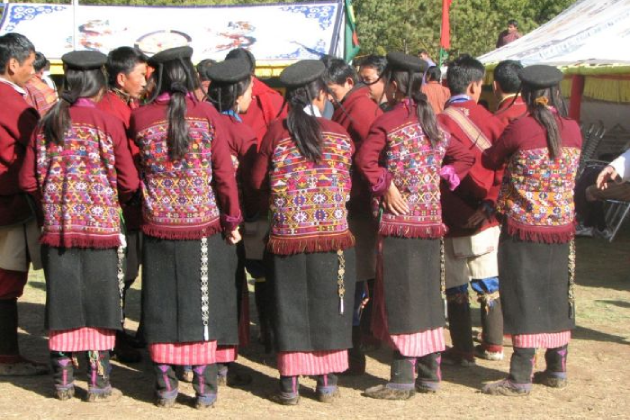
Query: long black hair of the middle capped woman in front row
(304,128)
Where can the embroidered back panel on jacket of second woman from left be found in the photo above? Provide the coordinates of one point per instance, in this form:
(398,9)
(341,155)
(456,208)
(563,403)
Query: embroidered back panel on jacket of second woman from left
(178,193)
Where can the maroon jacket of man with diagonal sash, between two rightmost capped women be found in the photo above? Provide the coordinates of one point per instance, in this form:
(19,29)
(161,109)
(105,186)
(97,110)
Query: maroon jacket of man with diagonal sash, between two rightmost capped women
(482,183)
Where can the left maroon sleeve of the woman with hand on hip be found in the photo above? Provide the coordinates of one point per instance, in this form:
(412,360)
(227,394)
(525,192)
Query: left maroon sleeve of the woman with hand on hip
(367,160)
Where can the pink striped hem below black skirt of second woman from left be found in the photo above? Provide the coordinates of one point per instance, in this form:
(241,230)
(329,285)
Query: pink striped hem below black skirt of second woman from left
(198,353)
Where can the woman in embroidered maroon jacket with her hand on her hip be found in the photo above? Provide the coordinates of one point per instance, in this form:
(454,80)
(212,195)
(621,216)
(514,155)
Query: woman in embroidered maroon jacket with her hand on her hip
(402,159)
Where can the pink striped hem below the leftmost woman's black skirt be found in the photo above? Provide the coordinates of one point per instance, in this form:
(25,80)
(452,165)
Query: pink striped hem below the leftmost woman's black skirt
(82,339)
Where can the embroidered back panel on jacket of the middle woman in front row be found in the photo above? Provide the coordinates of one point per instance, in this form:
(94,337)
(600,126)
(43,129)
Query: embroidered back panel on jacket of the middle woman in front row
(309,199)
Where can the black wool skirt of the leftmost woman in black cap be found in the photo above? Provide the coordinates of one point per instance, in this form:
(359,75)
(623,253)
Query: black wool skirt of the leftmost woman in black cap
(81,288)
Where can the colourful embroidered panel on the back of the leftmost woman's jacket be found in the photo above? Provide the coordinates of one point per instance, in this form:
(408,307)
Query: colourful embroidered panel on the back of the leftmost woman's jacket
(78,179)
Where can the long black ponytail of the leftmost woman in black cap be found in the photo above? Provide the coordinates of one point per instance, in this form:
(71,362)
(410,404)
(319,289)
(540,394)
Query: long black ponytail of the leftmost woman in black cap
(76,84)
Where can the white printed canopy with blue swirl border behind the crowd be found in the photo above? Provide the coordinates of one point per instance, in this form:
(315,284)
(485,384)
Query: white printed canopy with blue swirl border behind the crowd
(279,32)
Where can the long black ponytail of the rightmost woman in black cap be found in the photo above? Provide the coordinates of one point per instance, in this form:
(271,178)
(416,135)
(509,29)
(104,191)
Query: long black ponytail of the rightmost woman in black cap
(538,101)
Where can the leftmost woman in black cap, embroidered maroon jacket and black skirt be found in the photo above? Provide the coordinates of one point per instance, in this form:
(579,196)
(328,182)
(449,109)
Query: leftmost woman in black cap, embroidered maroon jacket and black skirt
(79,167)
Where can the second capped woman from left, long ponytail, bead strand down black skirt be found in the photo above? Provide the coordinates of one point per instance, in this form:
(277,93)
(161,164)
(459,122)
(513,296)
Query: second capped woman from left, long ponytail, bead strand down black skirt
(189,200)
